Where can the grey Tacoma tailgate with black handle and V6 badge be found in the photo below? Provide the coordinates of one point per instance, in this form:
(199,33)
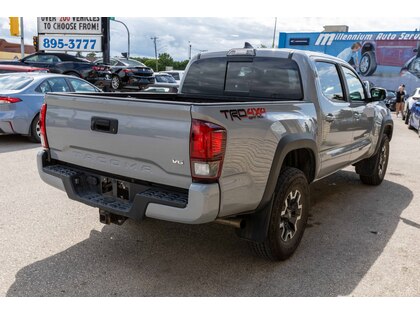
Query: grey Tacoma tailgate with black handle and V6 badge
(145,140)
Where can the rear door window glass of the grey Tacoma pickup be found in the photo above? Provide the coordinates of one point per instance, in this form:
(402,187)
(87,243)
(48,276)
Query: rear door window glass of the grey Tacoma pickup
(330,81)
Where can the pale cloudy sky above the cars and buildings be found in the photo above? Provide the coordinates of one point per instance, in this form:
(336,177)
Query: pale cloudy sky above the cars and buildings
(216,33)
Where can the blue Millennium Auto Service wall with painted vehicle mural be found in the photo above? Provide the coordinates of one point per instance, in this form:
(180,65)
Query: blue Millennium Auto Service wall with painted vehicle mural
(387,59)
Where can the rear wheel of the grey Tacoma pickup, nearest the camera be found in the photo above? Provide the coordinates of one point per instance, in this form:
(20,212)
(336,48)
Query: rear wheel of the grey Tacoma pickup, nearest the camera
(289,215)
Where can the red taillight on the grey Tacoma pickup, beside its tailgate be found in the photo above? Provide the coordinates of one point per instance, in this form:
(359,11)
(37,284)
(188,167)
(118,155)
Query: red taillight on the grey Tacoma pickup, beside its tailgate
(207,150)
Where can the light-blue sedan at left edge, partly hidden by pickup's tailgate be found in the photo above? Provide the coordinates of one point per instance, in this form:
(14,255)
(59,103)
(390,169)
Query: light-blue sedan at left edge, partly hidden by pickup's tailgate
(21,97)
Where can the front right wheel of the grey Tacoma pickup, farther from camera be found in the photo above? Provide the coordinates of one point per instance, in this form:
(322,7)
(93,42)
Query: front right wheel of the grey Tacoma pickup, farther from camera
(378,164)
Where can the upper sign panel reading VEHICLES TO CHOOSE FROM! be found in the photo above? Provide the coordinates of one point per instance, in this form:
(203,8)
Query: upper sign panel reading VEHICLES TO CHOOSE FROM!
(70,25)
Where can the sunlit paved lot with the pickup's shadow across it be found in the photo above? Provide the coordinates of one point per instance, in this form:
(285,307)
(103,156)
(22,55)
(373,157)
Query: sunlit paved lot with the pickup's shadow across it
(360,241)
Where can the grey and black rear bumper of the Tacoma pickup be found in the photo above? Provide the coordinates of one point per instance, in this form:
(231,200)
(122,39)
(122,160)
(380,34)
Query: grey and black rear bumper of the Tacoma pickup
(198,204)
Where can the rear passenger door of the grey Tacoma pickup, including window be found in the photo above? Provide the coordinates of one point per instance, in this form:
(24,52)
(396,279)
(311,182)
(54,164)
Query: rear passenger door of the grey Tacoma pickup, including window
(337,118)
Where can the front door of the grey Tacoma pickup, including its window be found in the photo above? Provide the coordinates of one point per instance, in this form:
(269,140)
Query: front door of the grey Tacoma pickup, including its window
(362,114)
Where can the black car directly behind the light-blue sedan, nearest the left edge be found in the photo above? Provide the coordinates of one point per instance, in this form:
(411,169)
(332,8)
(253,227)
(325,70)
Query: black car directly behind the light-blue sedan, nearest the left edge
(67,64)
